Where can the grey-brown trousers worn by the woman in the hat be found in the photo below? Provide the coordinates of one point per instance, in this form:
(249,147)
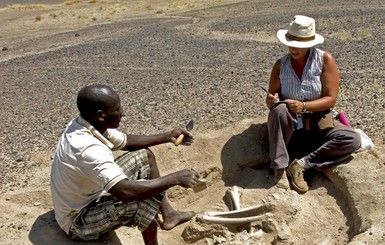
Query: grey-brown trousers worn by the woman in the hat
(319,149)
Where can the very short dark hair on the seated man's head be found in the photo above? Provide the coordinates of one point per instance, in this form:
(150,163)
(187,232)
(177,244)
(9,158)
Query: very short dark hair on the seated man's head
(93,98)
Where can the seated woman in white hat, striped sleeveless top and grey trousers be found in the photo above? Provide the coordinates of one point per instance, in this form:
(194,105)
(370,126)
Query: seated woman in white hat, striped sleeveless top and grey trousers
(304,84)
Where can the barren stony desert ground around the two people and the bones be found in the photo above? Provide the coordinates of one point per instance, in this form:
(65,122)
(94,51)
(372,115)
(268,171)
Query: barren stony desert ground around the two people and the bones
(175,60)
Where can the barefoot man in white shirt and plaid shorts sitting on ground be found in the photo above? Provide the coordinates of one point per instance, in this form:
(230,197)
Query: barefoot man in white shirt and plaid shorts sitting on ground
(92,192)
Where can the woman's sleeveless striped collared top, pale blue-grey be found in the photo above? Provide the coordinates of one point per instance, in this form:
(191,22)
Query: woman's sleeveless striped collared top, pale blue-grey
(309,86)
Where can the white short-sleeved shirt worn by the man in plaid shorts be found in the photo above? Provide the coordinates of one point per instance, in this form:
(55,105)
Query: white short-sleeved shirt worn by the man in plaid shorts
(83,168)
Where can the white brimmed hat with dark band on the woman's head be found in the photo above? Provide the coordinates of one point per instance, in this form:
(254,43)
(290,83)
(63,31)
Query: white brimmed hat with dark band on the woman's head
(301,33)
